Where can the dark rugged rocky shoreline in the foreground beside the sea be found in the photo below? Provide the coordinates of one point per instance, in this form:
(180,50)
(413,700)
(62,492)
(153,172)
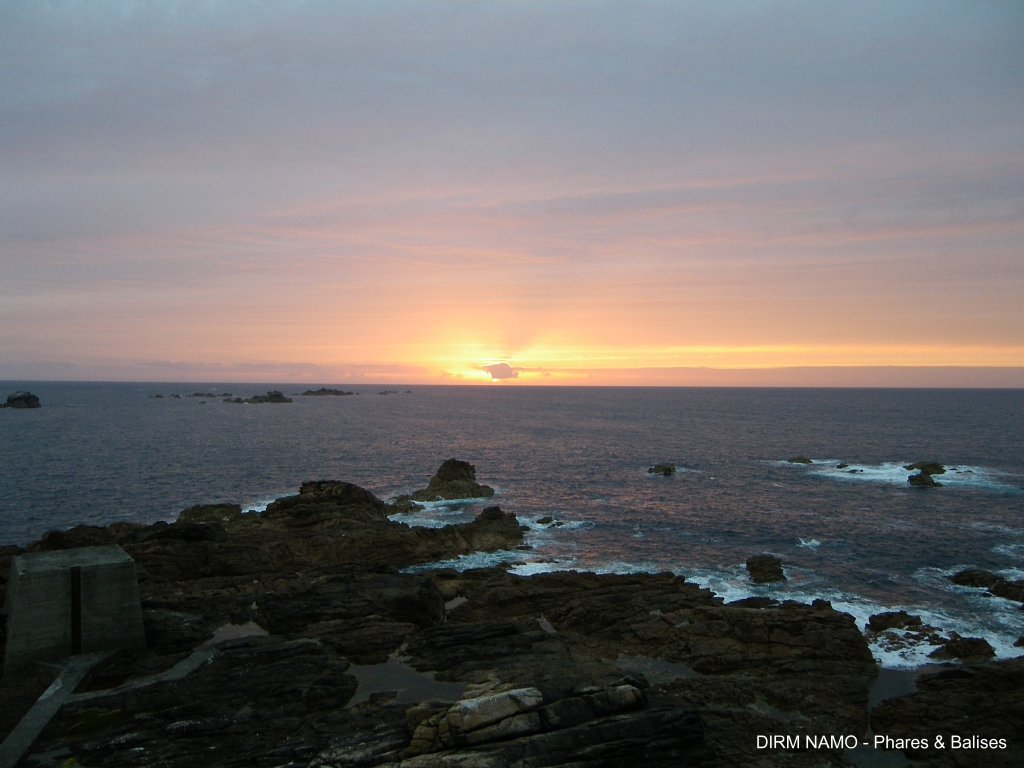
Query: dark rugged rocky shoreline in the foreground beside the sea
(294,637)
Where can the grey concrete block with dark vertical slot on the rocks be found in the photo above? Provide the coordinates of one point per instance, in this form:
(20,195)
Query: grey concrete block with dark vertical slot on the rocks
(71,602)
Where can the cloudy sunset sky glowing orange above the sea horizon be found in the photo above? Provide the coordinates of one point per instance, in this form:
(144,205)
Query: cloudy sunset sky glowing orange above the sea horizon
(677,193)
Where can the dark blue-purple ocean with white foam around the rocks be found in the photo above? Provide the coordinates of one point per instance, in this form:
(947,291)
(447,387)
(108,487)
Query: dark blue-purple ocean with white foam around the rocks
(859,536)
